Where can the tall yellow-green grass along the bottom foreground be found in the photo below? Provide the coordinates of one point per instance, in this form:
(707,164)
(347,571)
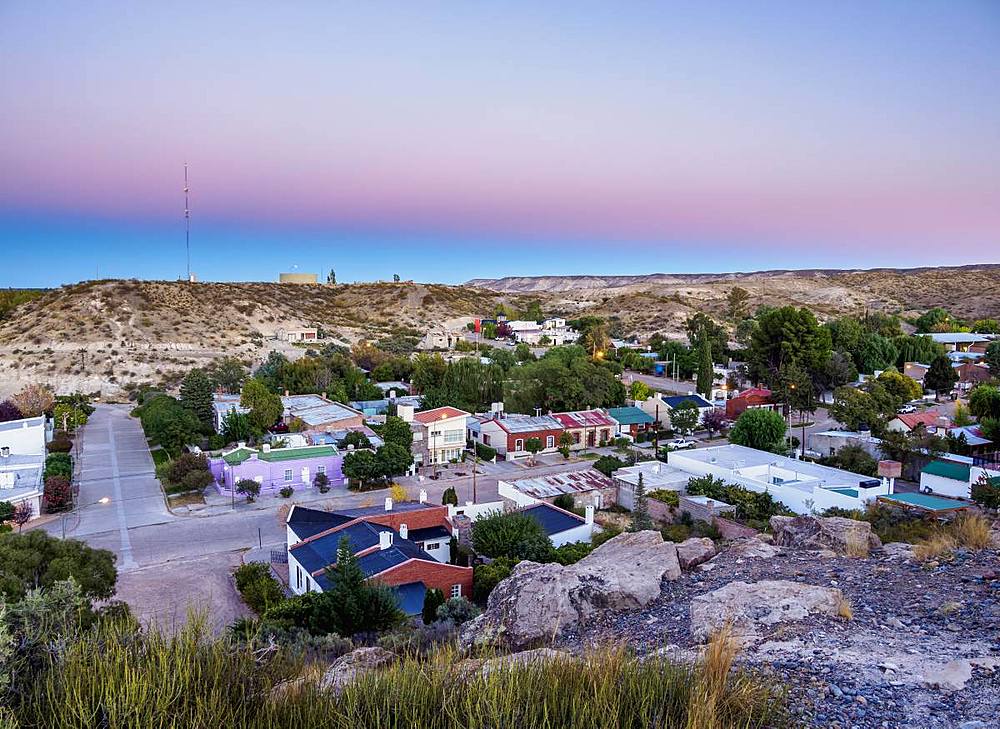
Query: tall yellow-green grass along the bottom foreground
(118,676)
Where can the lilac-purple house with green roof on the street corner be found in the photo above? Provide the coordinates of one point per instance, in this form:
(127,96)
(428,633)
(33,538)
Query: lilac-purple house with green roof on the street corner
(275,468)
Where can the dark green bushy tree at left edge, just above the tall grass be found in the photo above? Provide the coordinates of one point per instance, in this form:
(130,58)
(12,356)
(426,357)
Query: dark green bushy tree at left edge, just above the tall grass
(35,559)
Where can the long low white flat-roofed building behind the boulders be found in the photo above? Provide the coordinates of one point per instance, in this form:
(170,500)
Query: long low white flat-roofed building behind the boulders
(804,487)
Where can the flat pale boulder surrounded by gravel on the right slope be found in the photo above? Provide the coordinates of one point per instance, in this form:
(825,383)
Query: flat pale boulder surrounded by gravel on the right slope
(747,607)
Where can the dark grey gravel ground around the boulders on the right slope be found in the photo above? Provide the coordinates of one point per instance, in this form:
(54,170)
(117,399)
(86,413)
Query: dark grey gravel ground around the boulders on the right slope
(874,670)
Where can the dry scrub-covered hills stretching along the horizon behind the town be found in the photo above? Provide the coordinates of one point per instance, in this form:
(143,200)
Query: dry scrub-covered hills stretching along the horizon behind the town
(107,335)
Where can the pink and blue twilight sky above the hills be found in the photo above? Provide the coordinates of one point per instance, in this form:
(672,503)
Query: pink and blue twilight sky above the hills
(450,140)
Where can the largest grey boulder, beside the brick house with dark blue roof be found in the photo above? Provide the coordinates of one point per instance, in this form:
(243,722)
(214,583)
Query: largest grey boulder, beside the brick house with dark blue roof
(538,601)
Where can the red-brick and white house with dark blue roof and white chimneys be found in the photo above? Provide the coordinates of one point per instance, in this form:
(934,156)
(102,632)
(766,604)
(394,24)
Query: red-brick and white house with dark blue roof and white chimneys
(404,546)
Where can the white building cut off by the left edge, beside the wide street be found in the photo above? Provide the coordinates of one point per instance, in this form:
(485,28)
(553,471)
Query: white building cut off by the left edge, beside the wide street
(22,462)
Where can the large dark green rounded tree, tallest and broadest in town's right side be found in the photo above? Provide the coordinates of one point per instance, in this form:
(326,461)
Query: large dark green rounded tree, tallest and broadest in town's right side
(784,337)
